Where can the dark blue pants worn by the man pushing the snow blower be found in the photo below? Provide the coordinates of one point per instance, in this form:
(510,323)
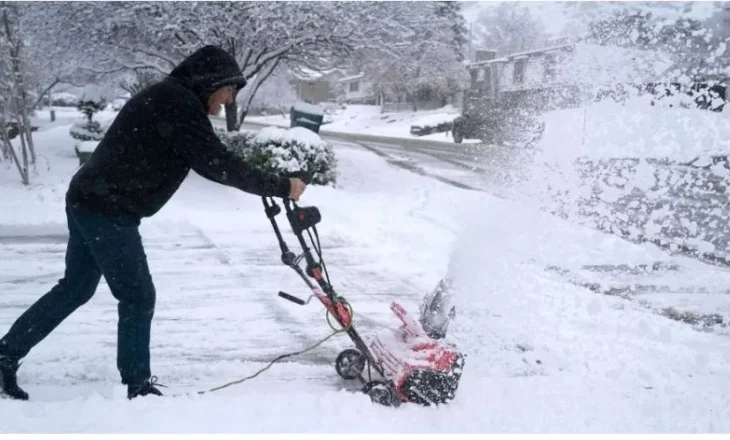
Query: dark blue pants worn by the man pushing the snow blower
(97,246)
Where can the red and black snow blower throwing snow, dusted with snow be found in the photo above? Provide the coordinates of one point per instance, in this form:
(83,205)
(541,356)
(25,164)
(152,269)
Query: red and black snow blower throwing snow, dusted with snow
(413,364)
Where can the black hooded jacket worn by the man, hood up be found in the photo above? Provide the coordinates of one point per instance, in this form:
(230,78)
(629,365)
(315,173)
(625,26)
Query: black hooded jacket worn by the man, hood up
(159,136)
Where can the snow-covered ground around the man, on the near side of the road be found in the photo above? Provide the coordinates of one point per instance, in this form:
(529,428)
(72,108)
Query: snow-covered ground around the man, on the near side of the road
(544,354)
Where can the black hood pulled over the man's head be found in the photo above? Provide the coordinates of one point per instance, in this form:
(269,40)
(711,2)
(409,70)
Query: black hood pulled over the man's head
(208,69)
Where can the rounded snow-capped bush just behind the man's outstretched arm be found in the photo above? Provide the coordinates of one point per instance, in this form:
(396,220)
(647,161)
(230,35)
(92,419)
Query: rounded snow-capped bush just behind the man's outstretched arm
(283,151)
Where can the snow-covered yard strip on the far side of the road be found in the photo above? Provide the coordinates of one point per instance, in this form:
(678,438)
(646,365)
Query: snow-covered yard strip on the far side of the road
(367,119)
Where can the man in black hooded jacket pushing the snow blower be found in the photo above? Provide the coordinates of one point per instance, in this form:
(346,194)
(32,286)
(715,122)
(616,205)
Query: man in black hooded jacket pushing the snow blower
(158,137)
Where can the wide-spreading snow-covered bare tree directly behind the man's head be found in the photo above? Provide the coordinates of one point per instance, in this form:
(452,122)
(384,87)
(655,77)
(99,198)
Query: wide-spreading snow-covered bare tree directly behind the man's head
(157,36)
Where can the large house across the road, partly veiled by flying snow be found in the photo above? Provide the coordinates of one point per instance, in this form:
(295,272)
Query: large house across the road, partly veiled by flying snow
(505,93)
